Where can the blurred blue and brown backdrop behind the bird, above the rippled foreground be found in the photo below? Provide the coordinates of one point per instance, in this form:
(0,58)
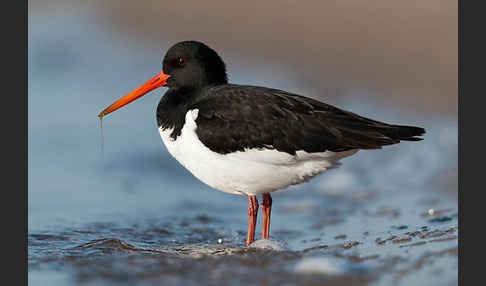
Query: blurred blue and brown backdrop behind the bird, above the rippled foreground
(394,61)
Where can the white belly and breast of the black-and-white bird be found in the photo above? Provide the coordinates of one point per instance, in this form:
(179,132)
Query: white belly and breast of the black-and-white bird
(249,172)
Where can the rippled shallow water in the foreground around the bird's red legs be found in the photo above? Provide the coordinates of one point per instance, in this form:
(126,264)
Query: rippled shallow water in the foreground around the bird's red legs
(316,238)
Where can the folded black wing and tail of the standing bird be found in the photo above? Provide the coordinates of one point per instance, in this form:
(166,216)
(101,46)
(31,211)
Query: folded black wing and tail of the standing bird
(234,117)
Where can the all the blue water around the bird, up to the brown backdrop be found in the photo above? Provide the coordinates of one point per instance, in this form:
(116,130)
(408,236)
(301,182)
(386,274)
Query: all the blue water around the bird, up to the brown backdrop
(131,215)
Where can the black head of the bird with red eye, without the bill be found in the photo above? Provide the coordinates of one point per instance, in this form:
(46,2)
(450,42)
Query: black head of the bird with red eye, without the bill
(192,64)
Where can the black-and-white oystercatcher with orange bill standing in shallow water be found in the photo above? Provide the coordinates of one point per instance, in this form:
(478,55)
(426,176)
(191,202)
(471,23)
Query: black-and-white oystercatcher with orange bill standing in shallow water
(251,140)
